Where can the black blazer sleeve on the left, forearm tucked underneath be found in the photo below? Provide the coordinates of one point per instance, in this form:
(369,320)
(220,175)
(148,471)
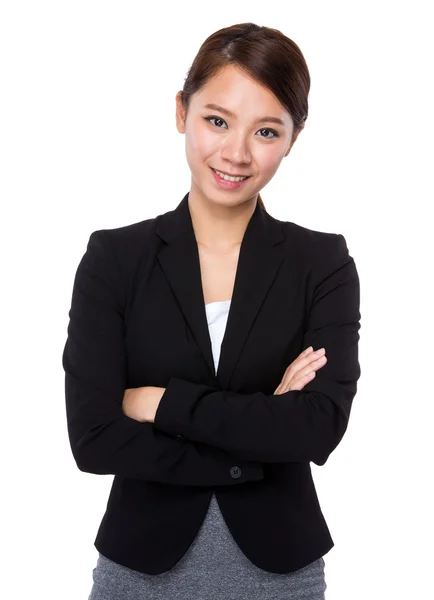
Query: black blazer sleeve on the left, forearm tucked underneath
(103,439)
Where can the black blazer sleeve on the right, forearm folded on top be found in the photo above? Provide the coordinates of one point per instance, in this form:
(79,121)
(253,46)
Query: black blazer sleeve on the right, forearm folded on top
(298,426)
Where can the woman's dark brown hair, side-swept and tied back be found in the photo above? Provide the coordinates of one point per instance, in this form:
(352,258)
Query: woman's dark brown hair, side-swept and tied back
(266,55)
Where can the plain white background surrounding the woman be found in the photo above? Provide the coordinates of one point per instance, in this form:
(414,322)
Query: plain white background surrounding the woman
(88,141)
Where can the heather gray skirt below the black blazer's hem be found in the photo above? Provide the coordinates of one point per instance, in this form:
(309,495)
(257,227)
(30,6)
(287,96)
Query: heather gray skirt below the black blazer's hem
(213,568)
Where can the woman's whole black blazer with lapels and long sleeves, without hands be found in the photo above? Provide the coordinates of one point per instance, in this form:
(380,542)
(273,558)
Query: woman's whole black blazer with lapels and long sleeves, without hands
(138,318)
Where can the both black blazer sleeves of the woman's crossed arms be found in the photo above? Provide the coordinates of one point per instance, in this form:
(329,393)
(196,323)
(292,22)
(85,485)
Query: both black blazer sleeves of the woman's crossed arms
(221,428)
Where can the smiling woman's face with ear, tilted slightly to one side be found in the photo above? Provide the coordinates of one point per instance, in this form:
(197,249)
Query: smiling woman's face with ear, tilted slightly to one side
(236,144)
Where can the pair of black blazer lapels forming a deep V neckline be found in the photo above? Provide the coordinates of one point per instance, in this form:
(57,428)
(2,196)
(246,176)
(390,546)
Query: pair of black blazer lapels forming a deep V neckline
(261,254)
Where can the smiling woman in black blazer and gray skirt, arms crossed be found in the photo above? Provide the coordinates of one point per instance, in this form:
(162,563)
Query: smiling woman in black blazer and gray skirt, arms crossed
(195,360)
